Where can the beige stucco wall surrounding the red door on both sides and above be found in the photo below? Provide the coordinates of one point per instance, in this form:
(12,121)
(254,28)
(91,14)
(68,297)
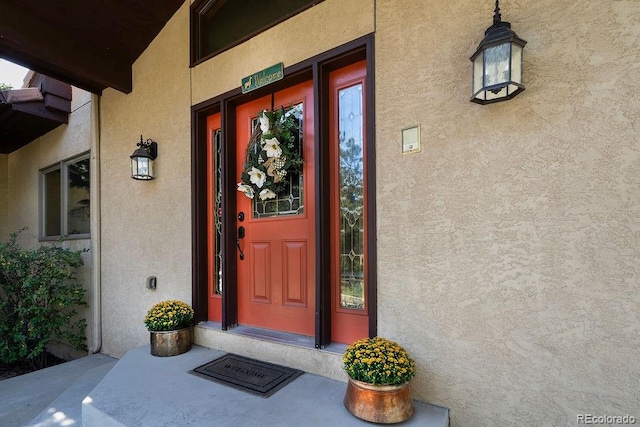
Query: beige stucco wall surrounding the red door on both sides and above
(508,248)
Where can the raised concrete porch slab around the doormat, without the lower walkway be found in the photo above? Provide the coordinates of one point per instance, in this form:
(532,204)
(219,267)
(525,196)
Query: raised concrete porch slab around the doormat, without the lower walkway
(143,390)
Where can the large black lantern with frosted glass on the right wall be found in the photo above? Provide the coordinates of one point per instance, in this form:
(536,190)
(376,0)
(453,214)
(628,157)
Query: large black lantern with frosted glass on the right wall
(497,63)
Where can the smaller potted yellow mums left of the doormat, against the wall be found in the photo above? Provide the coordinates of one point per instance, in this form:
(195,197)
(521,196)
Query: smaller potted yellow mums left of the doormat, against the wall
(170,328)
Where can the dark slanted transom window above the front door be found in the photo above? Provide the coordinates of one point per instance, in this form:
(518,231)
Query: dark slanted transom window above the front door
(218,25)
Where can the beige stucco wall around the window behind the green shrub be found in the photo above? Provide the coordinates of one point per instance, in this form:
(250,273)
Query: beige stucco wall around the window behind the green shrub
(22,171)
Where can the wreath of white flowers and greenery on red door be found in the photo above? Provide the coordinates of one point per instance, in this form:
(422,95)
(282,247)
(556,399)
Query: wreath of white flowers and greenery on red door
(272,154)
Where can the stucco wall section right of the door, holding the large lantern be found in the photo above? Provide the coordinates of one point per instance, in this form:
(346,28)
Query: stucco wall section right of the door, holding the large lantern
(509,247)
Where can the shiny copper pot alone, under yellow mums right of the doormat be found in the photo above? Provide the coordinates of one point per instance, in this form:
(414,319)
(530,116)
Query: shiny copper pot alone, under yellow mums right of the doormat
(384,404)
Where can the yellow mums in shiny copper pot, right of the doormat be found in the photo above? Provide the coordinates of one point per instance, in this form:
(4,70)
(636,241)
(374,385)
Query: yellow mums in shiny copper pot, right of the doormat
(379,372)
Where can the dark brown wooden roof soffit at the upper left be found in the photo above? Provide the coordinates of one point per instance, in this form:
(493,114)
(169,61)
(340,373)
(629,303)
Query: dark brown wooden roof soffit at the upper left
(88,44)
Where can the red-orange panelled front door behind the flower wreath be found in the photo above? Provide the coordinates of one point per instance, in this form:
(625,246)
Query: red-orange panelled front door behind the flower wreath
(276,275)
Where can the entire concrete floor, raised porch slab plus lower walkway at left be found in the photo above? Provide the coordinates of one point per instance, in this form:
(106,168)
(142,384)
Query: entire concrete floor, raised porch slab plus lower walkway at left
(143,390)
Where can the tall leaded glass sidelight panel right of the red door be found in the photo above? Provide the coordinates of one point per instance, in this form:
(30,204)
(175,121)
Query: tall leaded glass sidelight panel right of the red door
(351,193)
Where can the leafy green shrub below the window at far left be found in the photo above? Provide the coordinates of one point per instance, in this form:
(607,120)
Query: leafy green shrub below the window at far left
(39,301)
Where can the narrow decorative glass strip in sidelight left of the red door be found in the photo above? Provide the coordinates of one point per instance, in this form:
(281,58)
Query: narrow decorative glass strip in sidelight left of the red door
(217,206)
